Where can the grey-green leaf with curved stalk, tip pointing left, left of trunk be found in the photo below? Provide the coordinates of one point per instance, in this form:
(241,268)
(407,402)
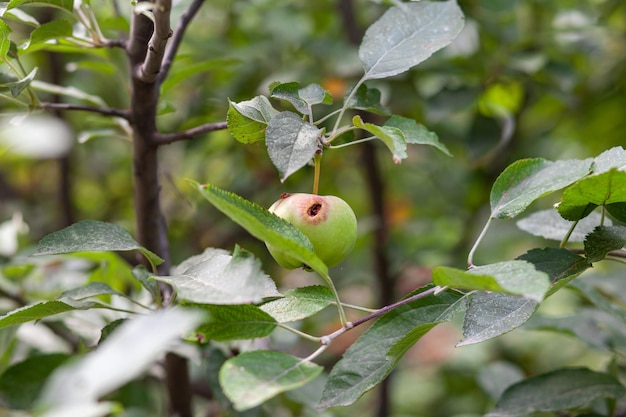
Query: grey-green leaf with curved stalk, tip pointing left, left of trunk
(92,236)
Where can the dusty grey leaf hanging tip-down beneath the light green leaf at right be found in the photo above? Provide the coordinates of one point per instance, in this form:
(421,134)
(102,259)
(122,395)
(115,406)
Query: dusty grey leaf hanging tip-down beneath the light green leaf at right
(493,314)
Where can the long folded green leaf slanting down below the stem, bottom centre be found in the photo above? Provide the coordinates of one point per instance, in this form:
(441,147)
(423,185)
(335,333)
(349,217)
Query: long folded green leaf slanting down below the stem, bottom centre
(374,355)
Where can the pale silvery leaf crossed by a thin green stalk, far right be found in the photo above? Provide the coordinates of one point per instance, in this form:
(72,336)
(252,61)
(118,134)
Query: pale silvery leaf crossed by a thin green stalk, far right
(550,225)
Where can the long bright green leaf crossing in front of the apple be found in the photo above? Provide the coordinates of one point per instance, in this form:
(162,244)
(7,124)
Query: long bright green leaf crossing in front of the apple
(264,225)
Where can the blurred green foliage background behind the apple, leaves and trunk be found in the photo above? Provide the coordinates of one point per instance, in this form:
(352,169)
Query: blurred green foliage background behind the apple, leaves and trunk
(524,79)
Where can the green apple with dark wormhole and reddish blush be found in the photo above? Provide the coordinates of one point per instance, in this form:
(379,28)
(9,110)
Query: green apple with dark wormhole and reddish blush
(328,222)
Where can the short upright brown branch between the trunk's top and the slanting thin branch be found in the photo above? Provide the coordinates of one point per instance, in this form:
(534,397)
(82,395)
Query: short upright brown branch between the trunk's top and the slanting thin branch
(149,70)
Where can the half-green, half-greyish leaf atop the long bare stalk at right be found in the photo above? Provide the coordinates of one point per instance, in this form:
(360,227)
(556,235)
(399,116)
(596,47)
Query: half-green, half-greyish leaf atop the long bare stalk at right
(526,180)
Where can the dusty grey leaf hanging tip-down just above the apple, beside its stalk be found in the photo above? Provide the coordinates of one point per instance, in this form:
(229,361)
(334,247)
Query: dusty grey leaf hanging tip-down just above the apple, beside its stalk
(291,142)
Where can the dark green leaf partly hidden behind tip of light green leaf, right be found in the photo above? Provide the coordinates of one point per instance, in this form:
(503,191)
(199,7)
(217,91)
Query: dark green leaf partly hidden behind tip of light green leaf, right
(561,265)
